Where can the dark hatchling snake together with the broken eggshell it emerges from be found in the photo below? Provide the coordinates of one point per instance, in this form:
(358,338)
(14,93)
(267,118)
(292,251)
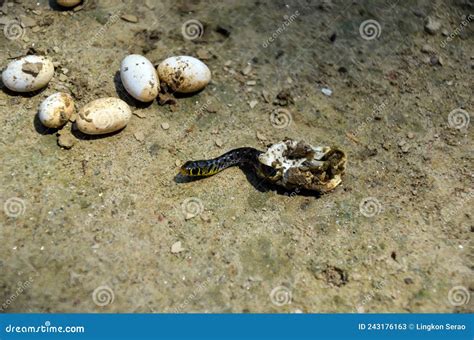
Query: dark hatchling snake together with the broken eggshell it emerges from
(289,163)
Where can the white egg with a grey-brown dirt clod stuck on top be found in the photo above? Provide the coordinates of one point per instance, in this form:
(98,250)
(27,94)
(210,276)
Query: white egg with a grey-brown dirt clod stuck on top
(27,74)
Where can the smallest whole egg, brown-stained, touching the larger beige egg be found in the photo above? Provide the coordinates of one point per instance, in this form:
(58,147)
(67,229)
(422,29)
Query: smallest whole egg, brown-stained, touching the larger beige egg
(56,110)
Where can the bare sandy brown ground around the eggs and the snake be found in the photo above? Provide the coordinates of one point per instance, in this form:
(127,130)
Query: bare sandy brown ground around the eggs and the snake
(102,225)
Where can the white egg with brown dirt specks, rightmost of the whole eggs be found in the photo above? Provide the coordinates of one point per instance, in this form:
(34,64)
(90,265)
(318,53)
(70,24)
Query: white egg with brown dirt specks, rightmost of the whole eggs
(184,74)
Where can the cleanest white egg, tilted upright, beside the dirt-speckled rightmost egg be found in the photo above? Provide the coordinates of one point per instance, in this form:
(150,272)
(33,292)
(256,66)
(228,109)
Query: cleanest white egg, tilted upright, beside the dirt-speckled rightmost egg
(139,78)
